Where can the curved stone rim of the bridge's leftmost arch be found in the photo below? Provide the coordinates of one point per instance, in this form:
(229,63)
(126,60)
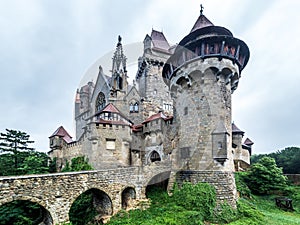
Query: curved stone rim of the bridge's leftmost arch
(46,212)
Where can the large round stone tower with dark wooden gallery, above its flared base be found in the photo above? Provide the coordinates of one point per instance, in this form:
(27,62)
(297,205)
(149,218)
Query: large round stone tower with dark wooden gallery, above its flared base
(202,74)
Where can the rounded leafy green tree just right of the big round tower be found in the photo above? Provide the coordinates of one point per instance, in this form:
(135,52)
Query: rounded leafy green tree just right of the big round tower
(264,177)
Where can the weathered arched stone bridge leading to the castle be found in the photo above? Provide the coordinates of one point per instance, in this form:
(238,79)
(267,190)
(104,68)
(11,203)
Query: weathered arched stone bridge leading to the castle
(56,192)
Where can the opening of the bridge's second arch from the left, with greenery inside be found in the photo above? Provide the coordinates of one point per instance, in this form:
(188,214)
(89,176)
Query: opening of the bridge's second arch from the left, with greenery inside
(93,204)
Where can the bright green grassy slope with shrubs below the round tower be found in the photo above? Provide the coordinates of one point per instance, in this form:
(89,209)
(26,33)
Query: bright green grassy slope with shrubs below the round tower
(255,210)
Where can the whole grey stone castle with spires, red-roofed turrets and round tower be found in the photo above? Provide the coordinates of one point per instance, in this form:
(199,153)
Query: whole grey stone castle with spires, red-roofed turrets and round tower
(177,112)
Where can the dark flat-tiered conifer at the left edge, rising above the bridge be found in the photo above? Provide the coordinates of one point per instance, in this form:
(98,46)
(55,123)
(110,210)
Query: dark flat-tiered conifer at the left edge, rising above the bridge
(14,142)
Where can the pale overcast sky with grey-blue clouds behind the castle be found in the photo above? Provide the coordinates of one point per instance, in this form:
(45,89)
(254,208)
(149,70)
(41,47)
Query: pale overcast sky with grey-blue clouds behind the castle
(46,47)
